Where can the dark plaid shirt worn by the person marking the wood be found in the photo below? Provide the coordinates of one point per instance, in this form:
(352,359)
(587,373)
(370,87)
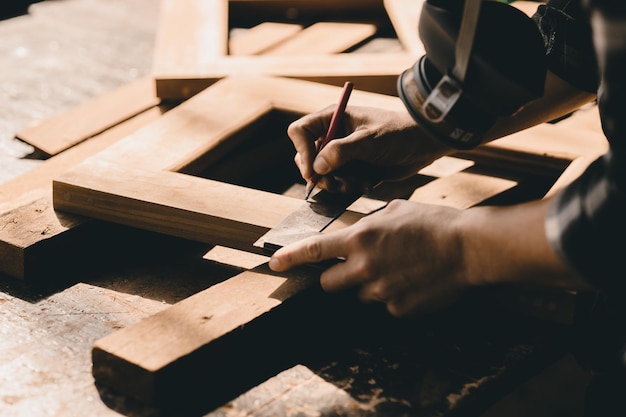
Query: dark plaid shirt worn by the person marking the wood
(586,224)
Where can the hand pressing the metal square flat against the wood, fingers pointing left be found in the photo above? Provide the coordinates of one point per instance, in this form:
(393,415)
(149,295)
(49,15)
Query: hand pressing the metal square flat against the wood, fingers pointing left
(407,255)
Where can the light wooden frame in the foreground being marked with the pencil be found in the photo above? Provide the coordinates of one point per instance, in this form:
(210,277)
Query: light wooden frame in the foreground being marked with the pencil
(118,186)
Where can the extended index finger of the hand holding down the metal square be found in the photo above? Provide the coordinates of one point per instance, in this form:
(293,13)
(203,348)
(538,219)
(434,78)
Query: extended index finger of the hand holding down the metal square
(311,250)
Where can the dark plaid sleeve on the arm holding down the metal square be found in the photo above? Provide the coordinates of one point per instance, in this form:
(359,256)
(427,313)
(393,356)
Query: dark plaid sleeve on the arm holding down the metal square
(586,224)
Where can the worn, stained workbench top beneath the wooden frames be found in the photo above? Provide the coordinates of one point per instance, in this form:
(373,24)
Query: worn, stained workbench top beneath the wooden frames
(350,359)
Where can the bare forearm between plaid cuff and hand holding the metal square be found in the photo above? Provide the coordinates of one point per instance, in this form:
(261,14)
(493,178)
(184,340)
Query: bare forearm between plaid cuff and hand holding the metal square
(509,245)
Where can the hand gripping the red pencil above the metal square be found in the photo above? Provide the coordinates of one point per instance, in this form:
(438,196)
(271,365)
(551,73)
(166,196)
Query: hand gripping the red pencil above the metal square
(380,145)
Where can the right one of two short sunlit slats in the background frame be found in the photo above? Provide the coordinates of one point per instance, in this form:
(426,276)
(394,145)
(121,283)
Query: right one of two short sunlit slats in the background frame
(324,38)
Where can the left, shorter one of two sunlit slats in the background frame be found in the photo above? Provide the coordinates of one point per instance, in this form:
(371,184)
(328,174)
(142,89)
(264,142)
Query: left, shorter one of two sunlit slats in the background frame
(261,37)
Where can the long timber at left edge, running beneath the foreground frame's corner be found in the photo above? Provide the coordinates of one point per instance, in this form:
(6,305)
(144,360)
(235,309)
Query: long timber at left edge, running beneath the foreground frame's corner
(27,212)
